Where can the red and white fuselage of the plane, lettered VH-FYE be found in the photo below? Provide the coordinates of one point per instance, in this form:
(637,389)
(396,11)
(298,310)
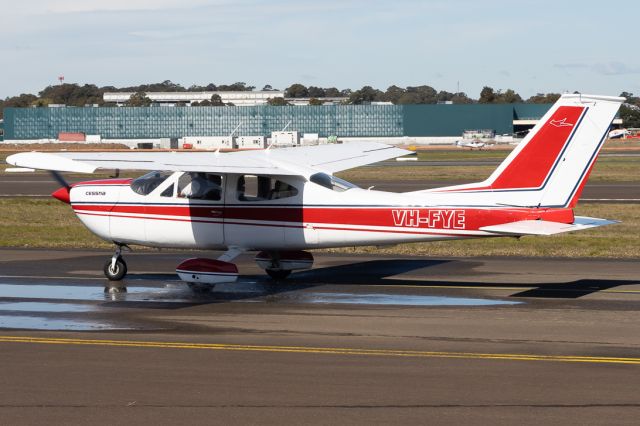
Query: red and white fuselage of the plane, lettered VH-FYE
(217,211)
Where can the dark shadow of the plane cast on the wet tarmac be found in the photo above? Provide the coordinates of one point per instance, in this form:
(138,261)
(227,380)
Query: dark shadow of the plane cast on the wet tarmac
(377,272)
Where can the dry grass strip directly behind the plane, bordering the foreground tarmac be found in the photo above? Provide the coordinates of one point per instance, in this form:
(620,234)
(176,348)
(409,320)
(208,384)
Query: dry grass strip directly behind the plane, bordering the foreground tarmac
(49,223)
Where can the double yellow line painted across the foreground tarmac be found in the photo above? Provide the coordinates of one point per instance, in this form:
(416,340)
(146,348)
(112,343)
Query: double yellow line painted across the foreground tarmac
(320,350)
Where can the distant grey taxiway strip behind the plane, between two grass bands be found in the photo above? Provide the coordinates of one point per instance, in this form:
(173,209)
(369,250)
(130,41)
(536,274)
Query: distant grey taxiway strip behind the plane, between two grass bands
(41,185)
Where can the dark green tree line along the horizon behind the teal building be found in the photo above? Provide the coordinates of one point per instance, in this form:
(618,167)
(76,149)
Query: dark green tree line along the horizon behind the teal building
(90,94)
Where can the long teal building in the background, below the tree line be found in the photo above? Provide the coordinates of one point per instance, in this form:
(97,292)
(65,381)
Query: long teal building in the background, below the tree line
(342,121)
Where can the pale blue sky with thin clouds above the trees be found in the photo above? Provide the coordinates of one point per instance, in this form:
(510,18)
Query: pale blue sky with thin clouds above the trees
(532,47)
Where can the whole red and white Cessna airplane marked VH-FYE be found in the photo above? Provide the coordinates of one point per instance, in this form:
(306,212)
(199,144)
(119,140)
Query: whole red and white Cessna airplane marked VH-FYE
(281,202)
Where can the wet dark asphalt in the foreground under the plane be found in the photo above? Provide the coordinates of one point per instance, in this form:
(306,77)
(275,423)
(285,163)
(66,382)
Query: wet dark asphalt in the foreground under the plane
(356,340)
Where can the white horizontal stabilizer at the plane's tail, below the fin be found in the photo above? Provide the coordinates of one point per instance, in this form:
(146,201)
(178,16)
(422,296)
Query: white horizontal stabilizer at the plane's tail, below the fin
(541,227)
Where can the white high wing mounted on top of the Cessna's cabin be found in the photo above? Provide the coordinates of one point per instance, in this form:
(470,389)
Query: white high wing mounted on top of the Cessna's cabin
(302,161)
